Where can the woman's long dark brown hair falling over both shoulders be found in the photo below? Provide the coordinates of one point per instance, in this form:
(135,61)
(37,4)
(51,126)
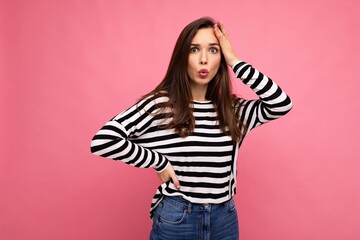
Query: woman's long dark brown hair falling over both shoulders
(176,85)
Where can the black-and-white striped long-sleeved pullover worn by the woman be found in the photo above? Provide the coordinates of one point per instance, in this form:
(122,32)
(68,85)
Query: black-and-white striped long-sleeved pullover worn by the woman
(204,161)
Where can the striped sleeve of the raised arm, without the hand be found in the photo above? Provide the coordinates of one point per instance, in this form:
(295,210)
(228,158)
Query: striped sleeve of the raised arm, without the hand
(273,102)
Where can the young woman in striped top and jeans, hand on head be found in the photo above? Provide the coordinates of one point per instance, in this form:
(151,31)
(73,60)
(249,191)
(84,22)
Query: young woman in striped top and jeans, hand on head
(189,129)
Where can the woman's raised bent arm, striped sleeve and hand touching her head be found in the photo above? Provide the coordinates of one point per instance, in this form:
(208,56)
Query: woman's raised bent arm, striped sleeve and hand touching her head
(273,102)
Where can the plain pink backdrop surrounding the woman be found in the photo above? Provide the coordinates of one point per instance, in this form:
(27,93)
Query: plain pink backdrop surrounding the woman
(66,67)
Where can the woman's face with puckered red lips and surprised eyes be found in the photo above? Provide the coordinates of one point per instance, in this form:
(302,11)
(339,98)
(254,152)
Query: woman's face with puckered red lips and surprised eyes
(204,58)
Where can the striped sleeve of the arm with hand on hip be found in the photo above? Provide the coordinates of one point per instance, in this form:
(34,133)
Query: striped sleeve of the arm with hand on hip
(113,140)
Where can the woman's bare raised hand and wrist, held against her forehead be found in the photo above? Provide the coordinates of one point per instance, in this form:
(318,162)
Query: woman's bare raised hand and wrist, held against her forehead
(230,56)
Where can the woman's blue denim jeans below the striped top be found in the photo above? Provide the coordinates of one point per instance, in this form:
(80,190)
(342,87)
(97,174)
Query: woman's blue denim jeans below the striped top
(177,219)
